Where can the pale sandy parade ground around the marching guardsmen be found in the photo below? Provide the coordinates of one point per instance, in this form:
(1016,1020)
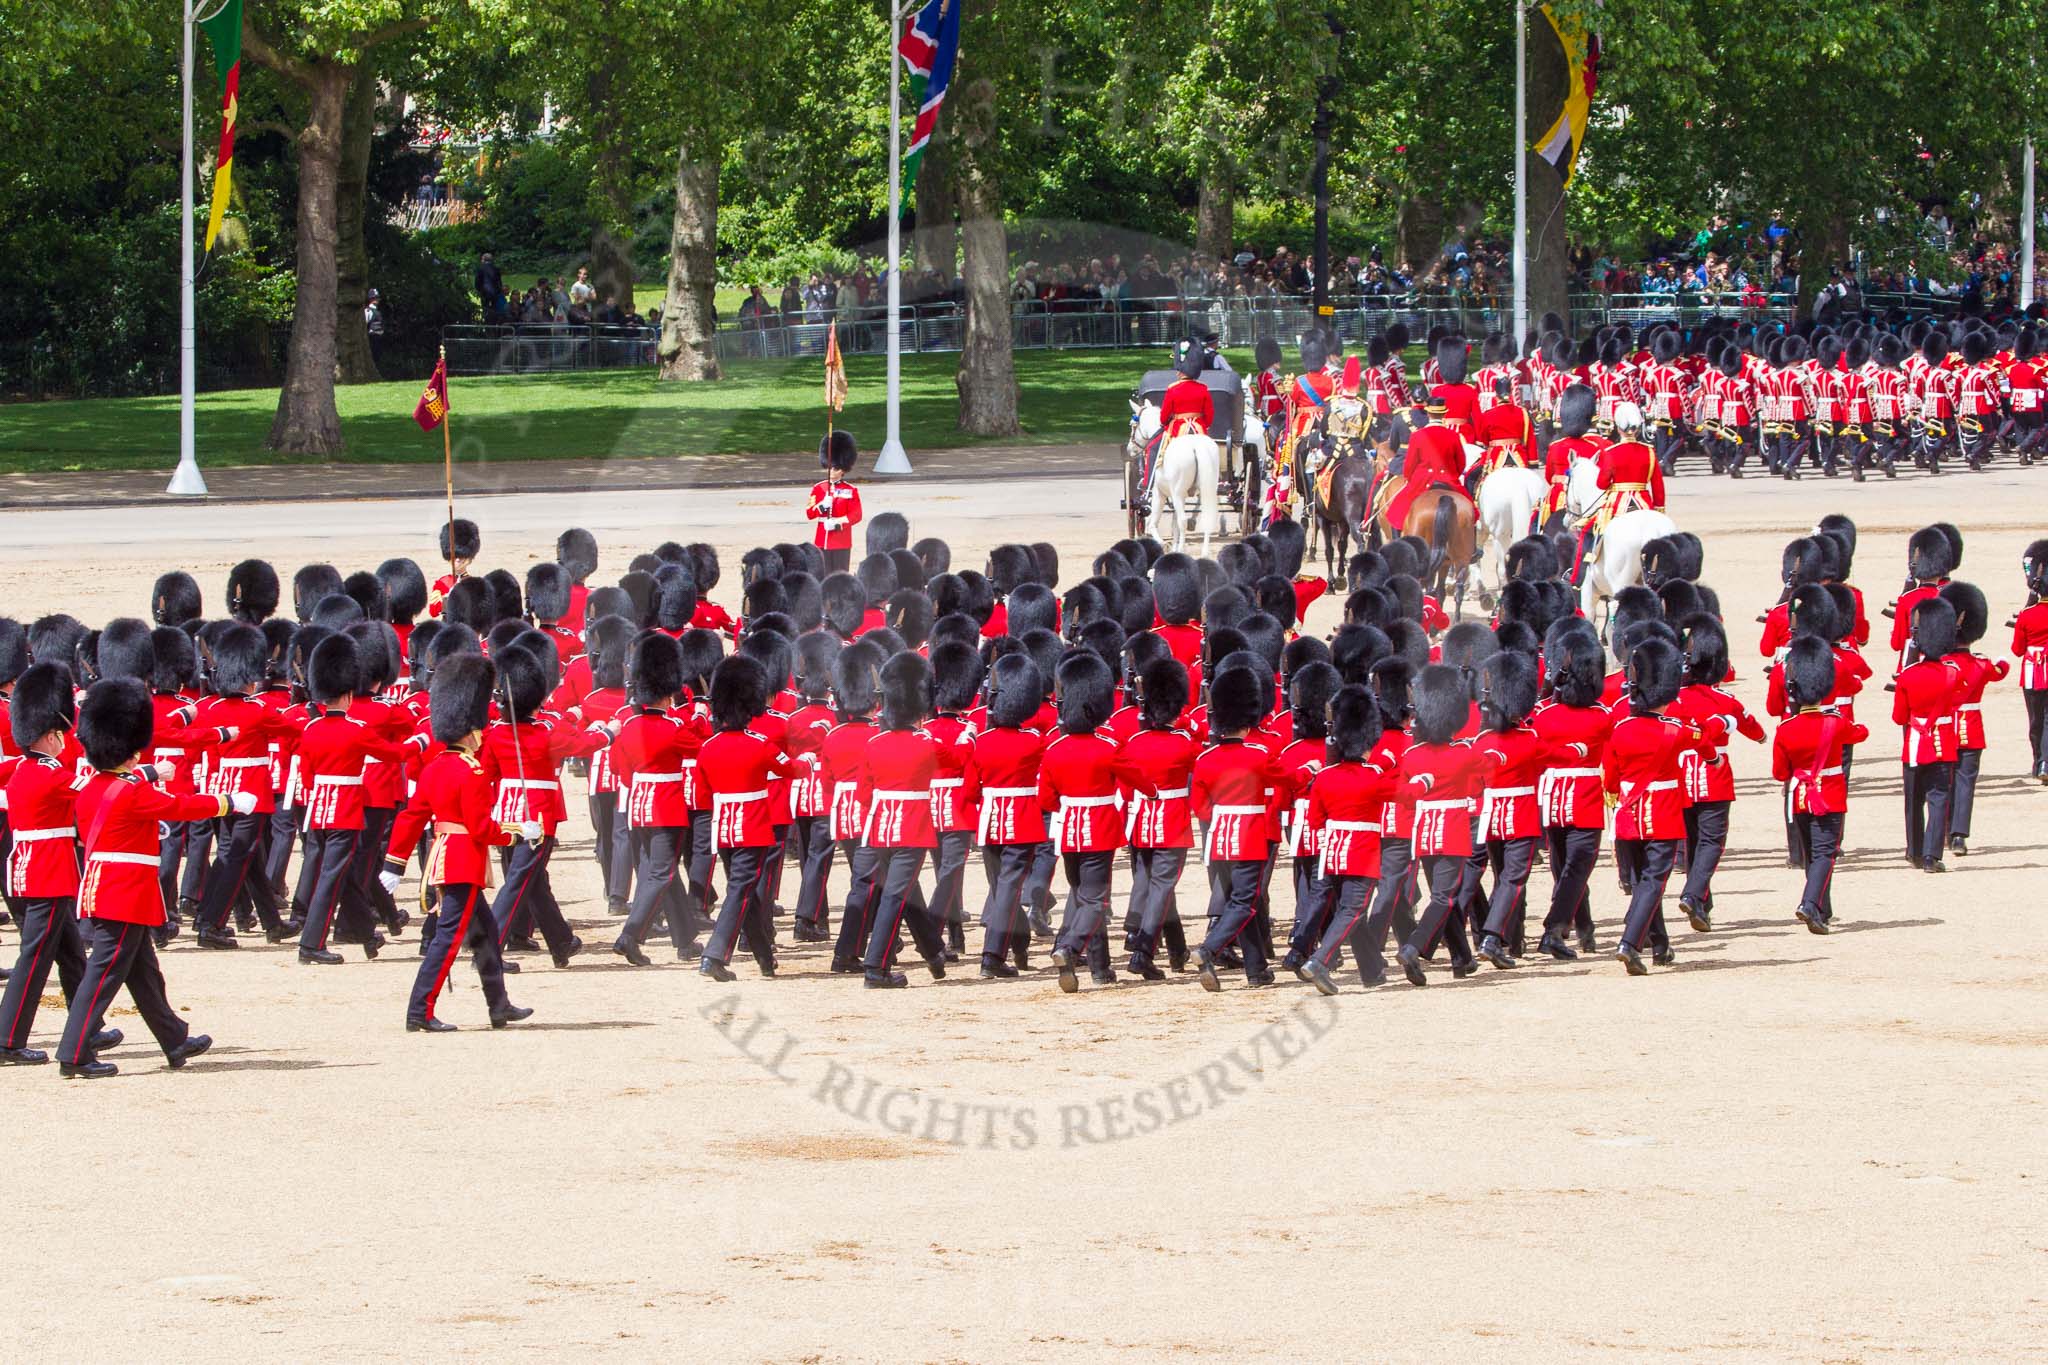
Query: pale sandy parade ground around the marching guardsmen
(1785,1147)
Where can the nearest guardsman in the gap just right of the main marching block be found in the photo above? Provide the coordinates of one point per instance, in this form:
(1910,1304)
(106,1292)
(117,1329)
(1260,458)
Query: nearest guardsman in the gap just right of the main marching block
(1809,758)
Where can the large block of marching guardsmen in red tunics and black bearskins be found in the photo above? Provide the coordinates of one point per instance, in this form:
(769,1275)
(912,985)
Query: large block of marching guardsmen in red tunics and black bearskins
(847,740)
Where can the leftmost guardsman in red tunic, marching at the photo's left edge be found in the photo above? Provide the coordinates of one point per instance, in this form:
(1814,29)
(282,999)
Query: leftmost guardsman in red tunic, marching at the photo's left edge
(42,867)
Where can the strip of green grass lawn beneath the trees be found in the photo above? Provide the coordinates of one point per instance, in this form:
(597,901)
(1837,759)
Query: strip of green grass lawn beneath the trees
(765,406)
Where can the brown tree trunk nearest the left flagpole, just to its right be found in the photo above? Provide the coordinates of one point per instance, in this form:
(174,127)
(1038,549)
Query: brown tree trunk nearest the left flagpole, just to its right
(306,416)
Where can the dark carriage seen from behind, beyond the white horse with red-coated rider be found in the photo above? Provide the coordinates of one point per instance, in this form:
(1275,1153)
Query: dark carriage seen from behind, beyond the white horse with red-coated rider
(1232,484)
